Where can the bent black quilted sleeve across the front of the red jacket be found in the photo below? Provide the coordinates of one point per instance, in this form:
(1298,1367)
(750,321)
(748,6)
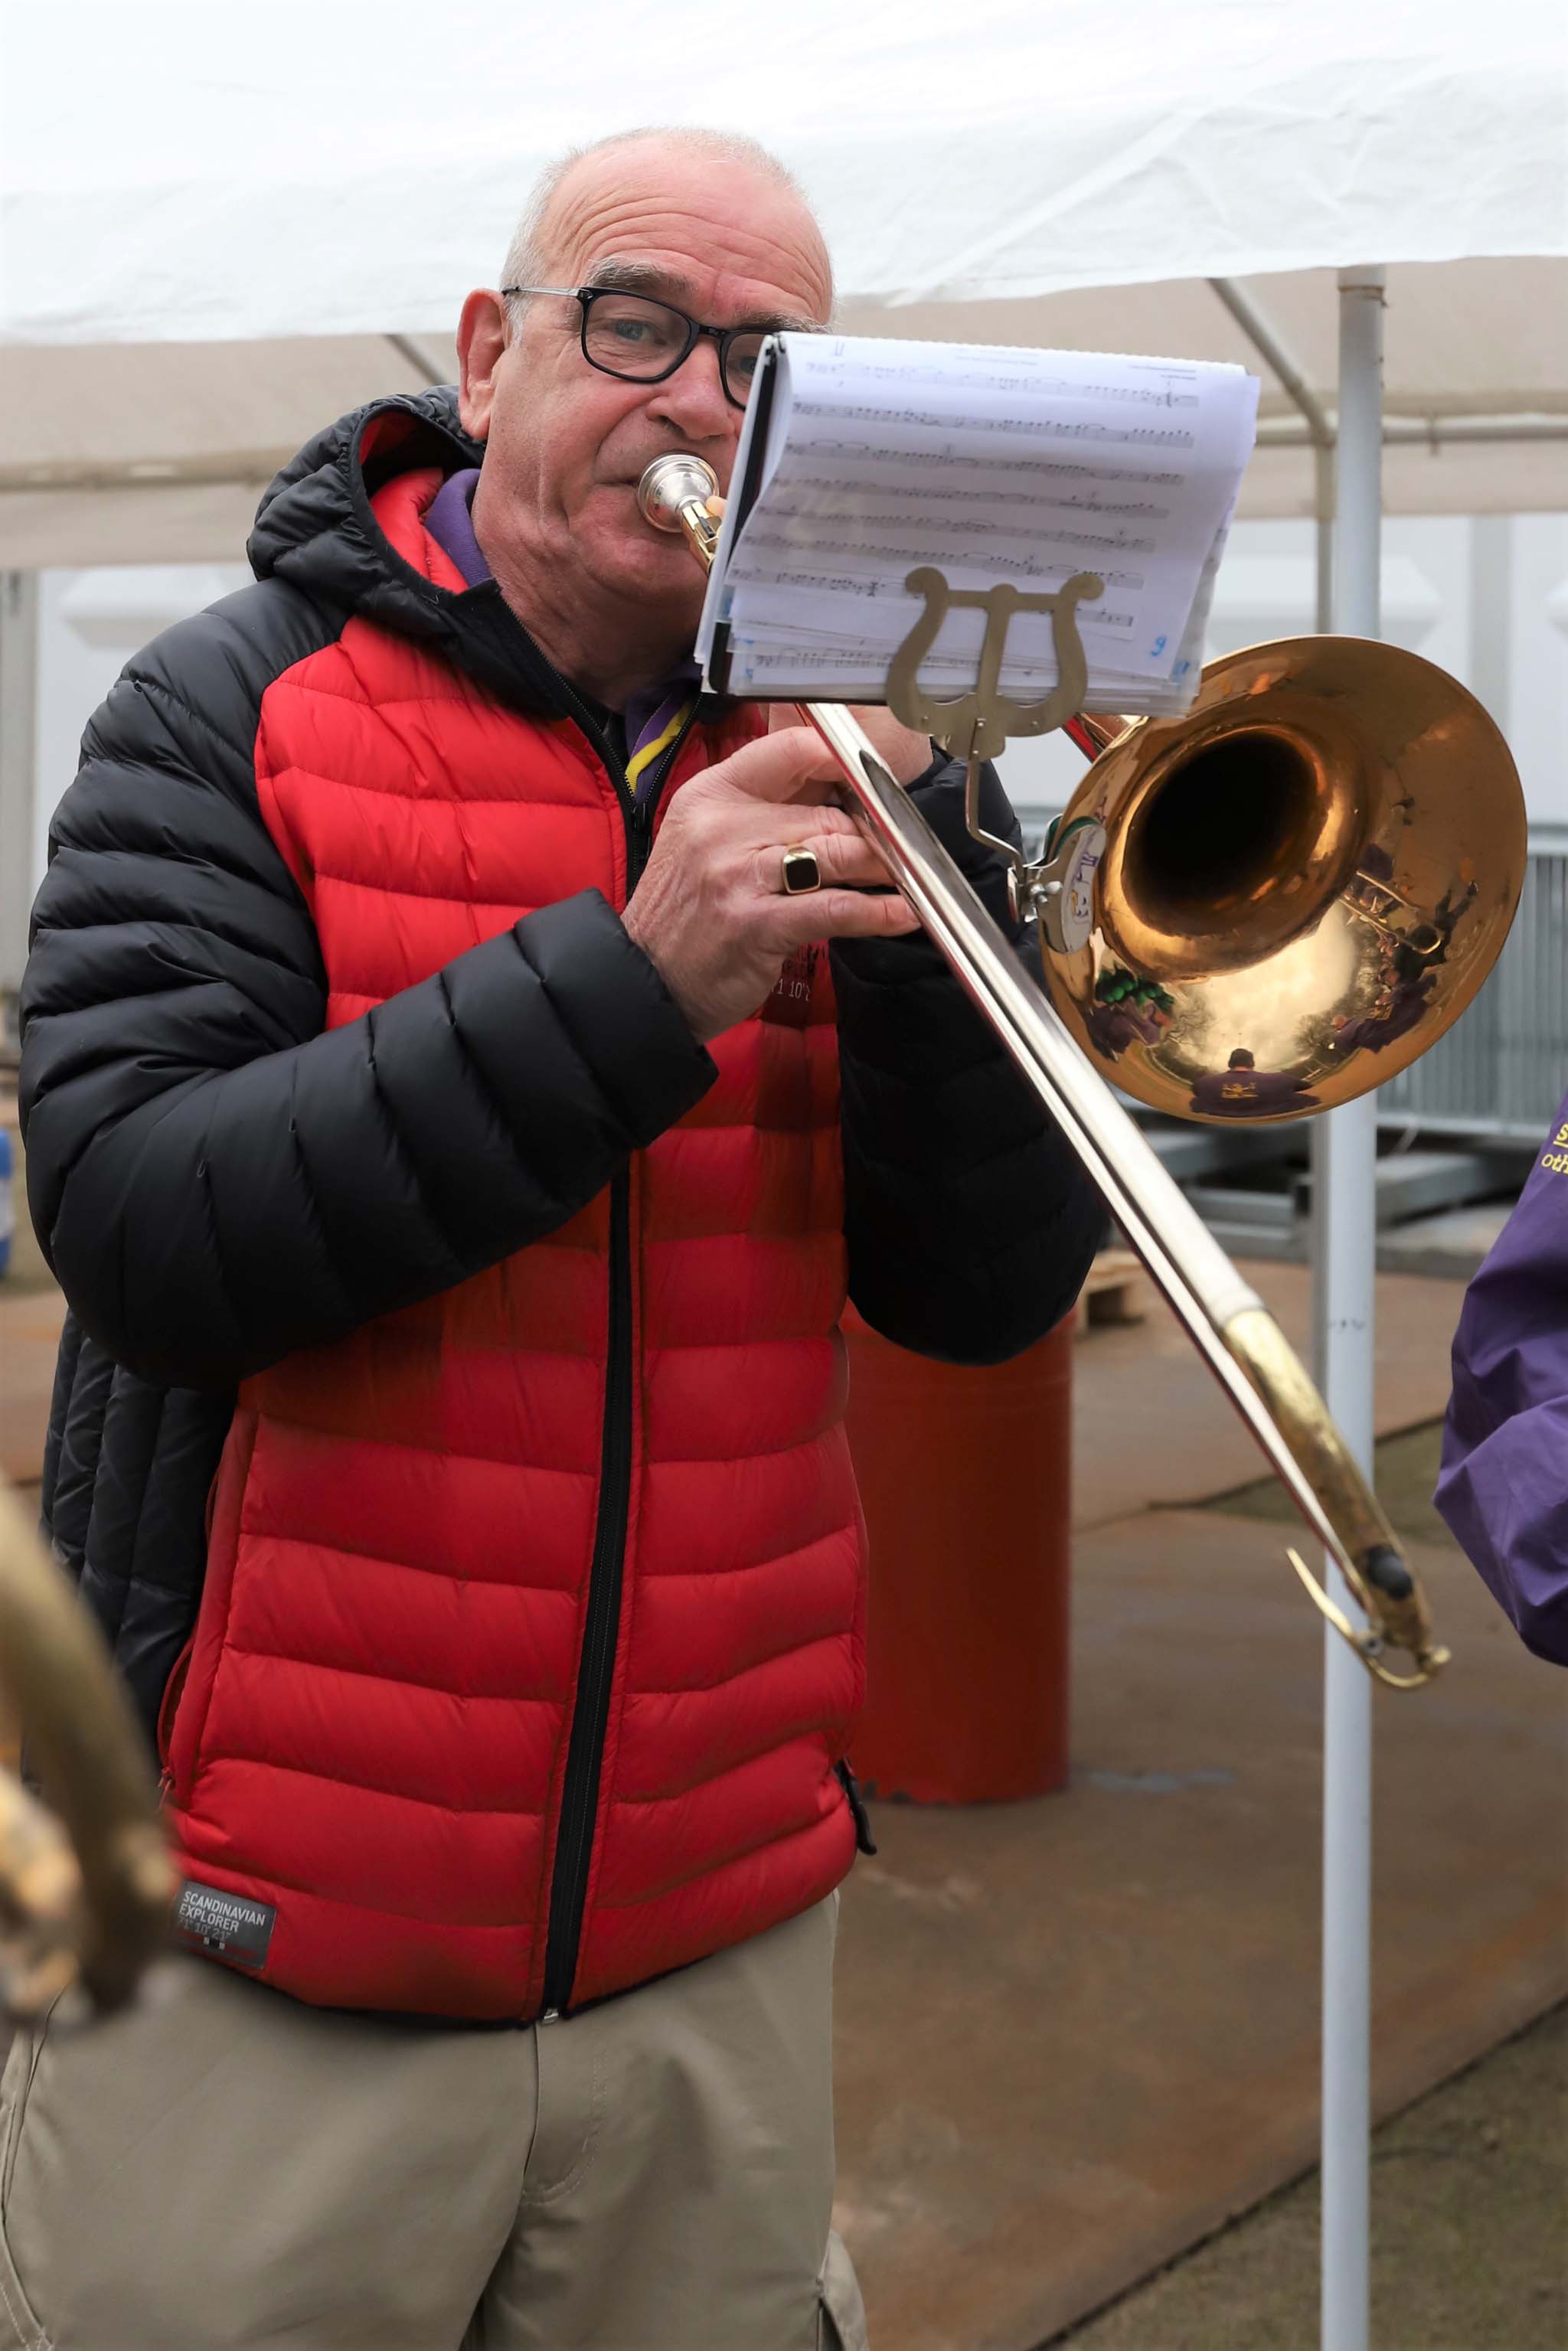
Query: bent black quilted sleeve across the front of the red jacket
(213,1177)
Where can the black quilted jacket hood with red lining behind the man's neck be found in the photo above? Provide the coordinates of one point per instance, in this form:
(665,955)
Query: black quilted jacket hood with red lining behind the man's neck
(316,525)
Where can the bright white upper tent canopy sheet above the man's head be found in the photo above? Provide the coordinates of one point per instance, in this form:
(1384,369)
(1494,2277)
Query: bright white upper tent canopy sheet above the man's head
(236,173)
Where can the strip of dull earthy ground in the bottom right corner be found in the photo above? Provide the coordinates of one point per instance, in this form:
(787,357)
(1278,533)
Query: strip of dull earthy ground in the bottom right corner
(1470,2232)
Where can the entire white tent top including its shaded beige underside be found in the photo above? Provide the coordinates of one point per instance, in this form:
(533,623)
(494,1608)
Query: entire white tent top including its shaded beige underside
(260,201)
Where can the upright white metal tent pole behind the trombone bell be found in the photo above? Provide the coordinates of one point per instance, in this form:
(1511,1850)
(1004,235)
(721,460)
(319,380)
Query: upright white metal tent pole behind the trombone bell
(1346,1245)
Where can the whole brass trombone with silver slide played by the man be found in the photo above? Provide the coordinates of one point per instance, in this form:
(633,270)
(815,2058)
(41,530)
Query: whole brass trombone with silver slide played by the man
(1205,878)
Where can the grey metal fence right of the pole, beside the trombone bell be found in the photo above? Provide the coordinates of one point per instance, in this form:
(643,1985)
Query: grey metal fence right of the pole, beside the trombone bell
(1503,1069)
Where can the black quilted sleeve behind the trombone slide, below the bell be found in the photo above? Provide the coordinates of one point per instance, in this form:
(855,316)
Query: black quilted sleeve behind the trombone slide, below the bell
(967,1217)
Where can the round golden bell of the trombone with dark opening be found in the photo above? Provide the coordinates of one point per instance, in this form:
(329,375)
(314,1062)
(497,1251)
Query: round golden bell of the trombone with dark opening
(1304,883)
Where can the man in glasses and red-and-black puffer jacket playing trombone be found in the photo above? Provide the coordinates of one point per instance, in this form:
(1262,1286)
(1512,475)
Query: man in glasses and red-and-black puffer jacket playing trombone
(467,1071)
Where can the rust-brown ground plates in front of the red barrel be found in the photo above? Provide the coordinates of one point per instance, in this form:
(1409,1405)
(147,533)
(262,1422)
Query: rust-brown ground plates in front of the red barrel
(1080,2035)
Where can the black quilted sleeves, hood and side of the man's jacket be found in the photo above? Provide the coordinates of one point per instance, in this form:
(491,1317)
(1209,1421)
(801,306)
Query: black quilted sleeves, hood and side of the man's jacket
(210,1174)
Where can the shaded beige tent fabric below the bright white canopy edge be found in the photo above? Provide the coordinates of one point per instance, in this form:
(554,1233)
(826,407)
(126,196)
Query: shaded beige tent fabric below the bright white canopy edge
(156,453)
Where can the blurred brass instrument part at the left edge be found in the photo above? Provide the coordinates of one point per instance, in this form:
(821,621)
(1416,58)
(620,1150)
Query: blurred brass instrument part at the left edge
(83,1896)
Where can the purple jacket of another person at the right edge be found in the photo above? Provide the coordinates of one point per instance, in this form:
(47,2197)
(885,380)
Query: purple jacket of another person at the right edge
(1503,1485)
